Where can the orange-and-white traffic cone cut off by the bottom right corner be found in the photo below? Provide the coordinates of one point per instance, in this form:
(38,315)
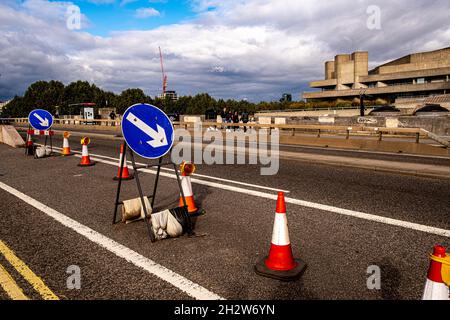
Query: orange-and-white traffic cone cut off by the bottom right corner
(438,279)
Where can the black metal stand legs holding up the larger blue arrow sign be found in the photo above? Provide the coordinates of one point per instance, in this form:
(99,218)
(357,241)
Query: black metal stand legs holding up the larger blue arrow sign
(136,169)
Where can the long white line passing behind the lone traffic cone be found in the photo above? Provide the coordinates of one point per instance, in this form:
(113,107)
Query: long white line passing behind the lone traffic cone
(308,204)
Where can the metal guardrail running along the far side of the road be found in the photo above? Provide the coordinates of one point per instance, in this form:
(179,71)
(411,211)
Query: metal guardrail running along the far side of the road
(418,133)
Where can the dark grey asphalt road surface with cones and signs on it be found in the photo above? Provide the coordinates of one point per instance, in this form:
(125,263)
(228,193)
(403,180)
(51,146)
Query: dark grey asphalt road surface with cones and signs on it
(237,229)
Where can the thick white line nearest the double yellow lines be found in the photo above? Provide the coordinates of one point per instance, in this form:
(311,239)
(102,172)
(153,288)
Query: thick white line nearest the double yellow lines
(192,289)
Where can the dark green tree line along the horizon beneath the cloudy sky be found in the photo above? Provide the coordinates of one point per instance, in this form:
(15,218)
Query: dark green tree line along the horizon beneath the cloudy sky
(49,95)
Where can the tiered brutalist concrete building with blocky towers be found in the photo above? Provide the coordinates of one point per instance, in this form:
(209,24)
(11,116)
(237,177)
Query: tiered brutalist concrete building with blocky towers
(418,75)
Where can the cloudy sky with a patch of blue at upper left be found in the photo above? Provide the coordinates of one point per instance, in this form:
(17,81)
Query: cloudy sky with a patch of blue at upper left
(253,49)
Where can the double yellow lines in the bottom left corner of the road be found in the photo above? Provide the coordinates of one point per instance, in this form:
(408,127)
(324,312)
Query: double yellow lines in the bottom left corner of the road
(11,287)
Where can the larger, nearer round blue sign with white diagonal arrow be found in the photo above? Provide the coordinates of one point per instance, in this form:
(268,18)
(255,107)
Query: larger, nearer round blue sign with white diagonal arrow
(147,130)
